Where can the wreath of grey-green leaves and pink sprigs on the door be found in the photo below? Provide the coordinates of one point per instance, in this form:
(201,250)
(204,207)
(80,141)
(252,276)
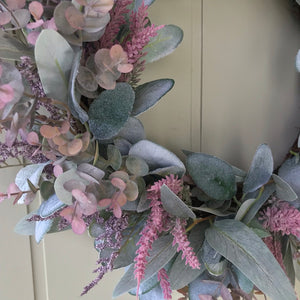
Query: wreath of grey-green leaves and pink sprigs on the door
(69,101)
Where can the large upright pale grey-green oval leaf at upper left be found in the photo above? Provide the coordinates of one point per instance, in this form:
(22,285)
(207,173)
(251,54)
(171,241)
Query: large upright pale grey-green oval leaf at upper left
(54,59)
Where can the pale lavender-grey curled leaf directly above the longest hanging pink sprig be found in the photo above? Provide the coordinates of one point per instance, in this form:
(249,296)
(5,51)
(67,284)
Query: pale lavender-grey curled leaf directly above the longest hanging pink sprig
(156,156)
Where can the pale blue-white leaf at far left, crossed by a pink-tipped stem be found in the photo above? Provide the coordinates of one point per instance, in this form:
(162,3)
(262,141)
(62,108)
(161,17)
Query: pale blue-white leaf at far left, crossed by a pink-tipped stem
(32,173)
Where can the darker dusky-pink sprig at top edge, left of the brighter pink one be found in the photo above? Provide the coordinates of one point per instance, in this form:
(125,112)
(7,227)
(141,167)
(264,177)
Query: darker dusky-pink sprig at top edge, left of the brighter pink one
(117,19)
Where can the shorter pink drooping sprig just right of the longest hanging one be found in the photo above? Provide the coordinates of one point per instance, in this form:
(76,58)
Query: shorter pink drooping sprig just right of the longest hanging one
(181,239)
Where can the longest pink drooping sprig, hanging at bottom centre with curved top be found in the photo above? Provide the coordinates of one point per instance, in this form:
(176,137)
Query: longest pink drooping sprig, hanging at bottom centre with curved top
(157,222)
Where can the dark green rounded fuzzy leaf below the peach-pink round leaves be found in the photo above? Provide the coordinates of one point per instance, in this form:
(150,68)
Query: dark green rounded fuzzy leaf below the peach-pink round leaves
(110,111)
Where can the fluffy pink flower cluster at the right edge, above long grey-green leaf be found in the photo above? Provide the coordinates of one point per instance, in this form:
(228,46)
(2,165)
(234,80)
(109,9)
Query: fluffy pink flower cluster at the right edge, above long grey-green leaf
(282,217)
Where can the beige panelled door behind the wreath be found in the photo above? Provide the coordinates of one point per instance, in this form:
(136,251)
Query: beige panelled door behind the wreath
(236,87)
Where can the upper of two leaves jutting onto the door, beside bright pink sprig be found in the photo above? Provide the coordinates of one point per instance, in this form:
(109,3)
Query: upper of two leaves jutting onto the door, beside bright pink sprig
(164,43)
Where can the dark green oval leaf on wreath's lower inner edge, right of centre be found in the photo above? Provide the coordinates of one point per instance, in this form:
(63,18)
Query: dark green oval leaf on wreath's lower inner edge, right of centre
(213,175)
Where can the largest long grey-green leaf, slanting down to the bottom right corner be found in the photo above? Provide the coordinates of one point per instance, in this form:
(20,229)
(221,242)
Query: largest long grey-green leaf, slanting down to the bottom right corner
(243,248)
